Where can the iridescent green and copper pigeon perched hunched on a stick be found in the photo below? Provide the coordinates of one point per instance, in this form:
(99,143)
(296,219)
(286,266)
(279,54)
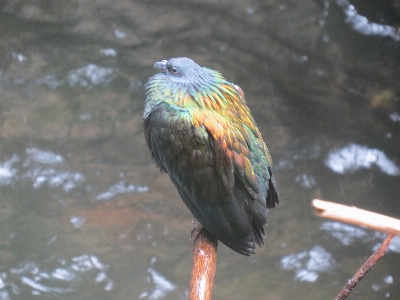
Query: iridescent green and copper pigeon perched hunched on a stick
(200,131)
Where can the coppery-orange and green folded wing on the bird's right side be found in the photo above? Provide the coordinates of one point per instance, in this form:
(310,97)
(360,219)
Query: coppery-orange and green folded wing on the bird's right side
(242,161)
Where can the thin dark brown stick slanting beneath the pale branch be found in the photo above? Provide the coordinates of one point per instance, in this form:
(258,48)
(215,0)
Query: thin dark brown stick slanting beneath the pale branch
(365,268)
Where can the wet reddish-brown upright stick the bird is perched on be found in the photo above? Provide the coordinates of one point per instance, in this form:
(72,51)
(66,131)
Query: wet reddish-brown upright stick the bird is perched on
(204,266)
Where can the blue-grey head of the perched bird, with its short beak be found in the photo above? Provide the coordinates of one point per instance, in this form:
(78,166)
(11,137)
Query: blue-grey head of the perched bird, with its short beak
(184,71)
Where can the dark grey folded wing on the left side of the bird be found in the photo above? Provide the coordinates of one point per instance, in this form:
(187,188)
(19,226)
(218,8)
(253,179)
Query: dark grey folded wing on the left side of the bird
(187,153)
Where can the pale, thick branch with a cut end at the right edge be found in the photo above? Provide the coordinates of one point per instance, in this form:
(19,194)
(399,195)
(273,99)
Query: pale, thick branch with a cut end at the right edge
(356,216)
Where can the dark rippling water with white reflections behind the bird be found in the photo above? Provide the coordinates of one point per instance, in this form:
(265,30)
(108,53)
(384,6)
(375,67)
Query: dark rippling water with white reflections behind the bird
(84,214)
